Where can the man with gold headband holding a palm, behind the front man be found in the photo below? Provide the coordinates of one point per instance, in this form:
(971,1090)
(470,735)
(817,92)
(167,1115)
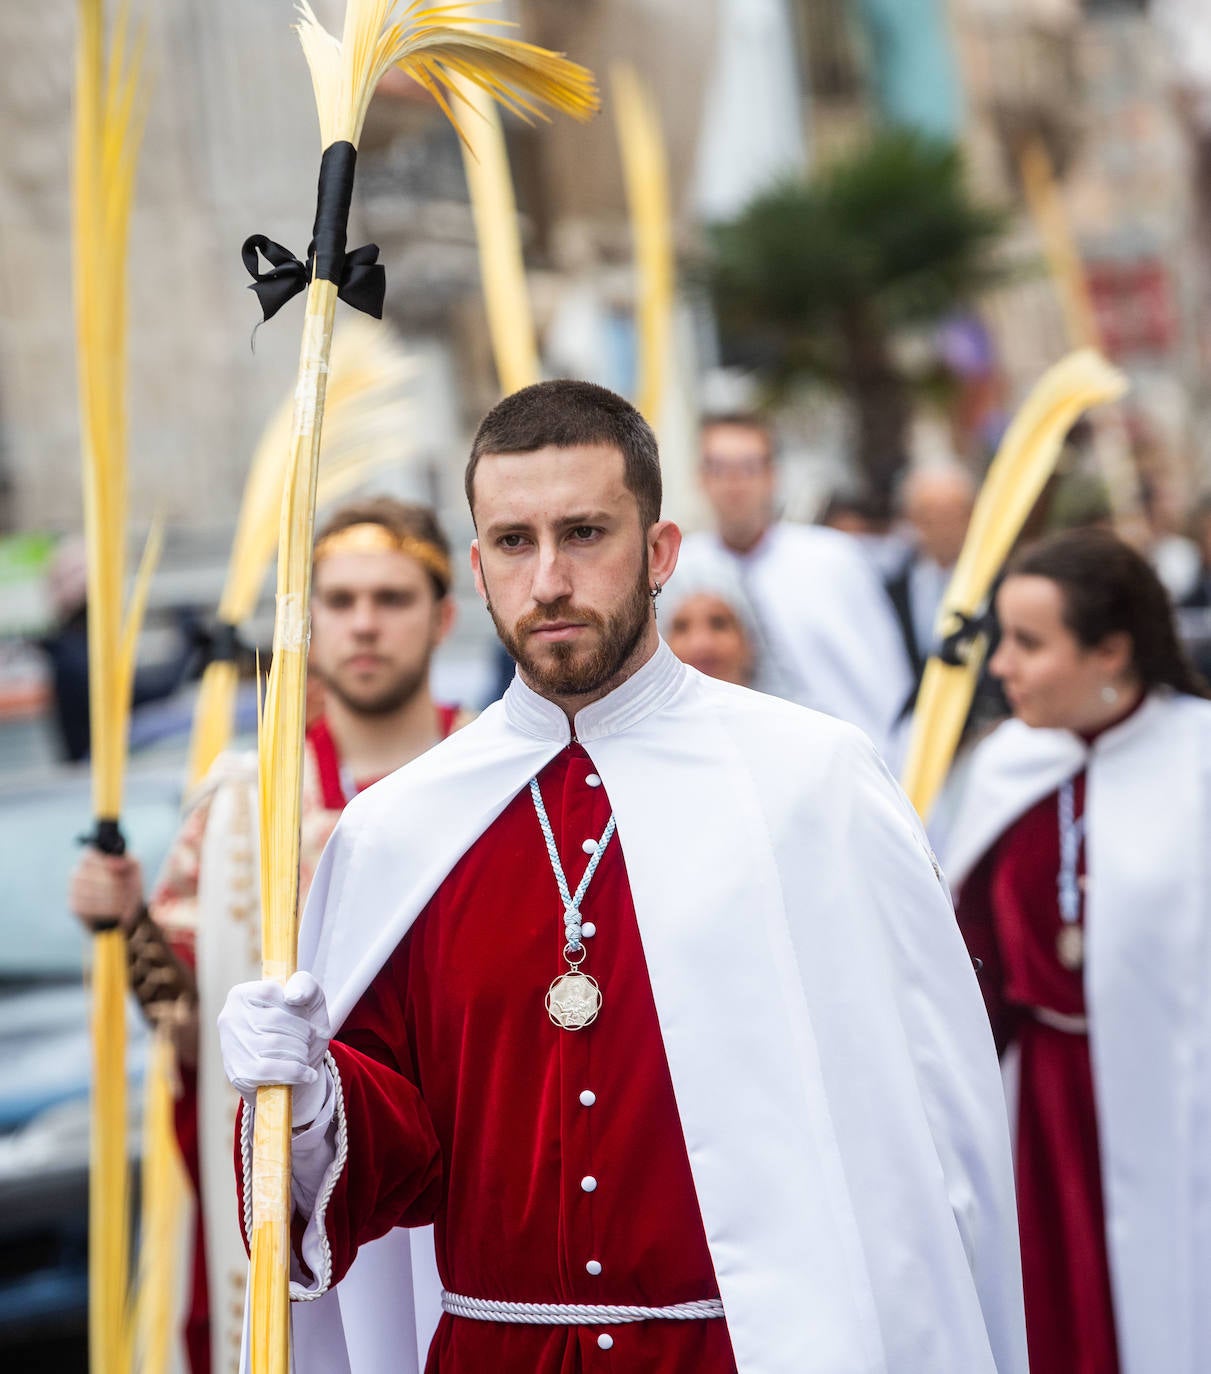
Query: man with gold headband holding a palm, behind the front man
(381,607)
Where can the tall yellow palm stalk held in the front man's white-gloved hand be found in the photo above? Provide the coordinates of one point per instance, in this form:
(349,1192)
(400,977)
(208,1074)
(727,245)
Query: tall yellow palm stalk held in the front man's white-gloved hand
(436,45)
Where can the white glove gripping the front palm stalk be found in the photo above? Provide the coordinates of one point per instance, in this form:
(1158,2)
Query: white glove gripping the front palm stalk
(278,1037)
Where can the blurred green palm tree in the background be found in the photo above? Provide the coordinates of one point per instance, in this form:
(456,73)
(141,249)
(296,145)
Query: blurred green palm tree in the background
(814,278)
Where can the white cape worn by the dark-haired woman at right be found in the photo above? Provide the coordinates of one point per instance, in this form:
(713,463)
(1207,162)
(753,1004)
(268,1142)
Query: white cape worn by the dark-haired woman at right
(1148,990)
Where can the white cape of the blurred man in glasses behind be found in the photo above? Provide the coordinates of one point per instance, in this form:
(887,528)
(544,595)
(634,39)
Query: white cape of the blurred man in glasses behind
(830,638)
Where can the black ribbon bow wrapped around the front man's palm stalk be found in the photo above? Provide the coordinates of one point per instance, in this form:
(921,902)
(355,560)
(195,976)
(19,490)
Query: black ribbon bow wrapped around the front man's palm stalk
(359,275)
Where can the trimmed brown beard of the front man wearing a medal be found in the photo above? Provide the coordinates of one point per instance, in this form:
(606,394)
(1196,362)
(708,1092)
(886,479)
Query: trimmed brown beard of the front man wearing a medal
(568,670)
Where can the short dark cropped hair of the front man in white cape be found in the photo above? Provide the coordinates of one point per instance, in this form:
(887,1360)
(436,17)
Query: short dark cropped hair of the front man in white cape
(567,414)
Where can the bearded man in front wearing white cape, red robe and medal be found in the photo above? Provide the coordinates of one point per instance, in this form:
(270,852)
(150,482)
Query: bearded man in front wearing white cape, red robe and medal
(640,1002)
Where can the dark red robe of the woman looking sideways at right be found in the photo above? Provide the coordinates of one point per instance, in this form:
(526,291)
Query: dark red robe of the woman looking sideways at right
(1010,916)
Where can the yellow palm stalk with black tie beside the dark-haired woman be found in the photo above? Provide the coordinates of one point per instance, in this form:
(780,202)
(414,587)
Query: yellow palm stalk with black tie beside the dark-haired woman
(1016,479)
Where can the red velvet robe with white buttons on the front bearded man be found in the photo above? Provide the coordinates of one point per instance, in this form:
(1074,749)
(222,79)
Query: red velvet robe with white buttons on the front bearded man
(467,1107)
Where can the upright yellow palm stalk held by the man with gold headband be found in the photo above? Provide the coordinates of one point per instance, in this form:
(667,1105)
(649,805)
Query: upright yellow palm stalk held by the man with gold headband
(108,126)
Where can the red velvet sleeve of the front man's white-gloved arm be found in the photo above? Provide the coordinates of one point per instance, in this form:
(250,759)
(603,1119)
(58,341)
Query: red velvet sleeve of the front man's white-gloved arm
(392,1175)
